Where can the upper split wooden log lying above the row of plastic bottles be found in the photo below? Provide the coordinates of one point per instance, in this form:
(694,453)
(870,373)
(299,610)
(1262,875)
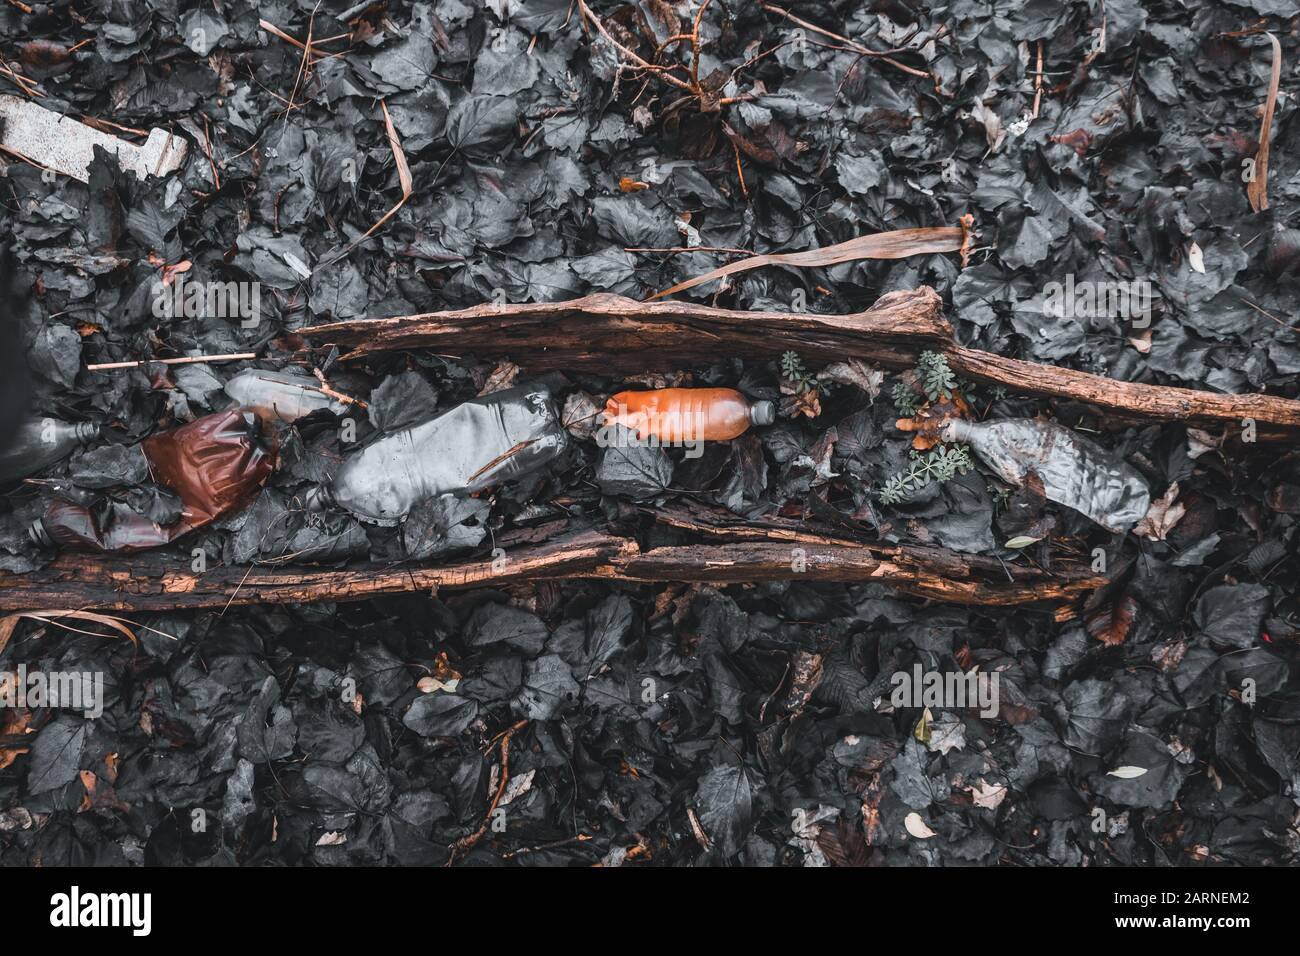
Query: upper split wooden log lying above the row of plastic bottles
(610,334)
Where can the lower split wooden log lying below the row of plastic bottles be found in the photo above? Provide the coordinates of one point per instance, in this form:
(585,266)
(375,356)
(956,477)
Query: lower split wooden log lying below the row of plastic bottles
(151,583)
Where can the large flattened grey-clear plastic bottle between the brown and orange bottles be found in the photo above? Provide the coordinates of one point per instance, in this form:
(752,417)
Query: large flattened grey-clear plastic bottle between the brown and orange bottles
(476,445)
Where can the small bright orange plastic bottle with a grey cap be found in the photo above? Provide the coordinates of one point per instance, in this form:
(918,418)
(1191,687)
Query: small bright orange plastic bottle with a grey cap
(682,416)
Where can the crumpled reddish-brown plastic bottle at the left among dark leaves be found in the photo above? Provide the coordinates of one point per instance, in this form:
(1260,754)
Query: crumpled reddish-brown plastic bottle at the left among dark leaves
(215,465)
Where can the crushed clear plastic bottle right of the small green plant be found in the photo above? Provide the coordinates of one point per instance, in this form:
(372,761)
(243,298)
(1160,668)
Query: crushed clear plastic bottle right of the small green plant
(1076,473)
